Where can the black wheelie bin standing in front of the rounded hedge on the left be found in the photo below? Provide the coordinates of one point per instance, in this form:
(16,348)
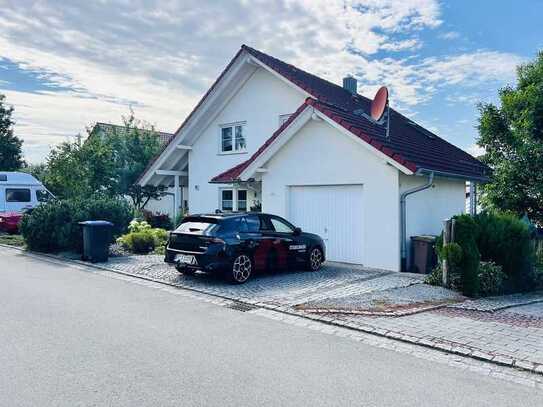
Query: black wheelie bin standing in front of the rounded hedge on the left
(96,240)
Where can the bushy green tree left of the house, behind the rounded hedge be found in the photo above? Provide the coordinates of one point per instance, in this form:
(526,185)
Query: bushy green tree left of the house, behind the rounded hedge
(106,163)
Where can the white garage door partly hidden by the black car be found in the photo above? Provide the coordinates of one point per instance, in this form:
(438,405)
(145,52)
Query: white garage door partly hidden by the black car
(333,212)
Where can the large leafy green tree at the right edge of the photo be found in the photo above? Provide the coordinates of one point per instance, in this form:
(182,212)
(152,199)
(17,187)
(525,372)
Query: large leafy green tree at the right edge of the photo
(512,136)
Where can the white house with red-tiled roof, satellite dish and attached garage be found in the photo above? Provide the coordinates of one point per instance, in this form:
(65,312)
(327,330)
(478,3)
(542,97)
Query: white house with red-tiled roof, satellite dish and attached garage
(267,133)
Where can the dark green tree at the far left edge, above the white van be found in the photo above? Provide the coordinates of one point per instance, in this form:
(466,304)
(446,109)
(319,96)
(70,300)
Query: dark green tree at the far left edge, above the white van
(11,156)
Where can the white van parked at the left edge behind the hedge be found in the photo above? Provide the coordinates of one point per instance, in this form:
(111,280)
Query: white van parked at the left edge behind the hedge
(20,191)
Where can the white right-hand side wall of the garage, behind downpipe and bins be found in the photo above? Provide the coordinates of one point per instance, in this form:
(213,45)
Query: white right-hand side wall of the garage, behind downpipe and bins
(427,209)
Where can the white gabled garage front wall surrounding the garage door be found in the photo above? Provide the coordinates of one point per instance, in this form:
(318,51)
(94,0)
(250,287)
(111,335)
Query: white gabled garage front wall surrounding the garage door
(320,155)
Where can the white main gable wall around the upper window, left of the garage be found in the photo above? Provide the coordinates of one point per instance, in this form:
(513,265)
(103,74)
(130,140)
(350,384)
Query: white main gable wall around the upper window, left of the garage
(259,103)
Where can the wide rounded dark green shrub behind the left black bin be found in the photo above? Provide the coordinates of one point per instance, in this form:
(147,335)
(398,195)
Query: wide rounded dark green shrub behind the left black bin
(54,226)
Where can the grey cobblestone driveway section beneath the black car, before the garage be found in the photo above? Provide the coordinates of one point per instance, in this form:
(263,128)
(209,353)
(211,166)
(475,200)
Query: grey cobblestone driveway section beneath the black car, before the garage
(277,289)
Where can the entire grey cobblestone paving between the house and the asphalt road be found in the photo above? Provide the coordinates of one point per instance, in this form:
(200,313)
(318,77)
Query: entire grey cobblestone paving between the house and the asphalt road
(501,329)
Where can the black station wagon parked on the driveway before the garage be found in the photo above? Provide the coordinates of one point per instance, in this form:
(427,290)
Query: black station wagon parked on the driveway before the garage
(239,244)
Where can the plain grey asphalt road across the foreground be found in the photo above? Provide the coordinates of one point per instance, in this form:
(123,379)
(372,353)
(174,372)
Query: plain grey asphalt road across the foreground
(74,338)
